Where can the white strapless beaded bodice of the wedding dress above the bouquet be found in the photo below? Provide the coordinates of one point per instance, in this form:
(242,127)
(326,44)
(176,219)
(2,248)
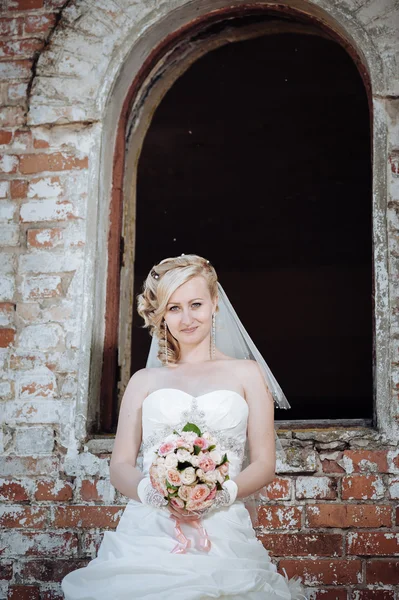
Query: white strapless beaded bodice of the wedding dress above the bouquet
(223,413)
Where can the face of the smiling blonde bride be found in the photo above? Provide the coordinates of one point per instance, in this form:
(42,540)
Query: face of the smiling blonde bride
(189,312)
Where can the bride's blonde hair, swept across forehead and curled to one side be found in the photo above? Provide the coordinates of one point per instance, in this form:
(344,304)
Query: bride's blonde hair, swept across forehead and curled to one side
(162,281)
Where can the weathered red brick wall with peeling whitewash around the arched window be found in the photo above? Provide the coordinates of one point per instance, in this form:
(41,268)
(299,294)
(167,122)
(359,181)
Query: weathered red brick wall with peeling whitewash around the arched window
(331,514)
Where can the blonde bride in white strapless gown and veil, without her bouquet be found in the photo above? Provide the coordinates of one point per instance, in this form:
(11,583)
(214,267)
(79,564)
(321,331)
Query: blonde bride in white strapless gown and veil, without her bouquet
(159,551)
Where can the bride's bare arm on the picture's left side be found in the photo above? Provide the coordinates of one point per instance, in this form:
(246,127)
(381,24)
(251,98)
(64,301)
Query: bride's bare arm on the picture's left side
(124,475)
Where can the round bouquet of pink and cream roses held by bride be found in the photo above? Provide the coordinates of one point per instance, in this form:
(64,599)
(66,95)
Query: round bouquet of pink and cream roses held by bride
(189,468)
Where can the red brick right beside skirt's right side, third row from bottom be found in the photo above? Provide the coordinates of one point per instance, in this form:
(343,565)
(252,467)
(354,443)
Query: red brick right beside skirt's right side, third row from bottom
(302,544)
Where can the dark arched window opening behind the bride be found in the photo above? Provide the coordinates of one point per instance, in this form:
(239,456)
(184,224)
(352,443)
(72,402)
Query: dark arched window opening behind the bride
(259,159)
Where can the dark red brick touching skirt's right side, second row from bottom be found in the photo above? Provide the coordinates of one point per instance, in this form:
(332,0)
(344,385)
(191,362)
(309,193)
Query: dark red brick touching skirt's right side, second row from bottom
(331,571)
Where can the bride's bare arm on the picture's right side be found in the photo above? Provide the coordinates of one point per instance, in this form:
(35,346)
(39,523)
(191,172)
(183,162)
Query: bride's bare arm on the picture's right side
(261,433)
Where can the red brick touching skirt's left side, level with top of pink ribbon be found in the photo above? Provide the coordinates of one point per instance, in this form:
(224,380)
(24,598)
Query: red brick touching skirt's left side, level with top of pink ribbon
(87,516)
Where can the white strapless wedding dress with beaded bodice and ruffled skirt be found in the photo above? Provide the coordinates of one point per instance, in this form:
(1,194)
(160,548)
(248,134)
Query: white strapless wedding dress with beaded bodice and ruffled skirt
(135,560)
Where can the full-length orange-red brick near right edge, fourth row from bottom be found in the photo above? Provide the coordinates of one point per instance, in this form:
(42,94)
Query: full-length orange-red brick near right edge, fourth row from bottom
(348,515)
